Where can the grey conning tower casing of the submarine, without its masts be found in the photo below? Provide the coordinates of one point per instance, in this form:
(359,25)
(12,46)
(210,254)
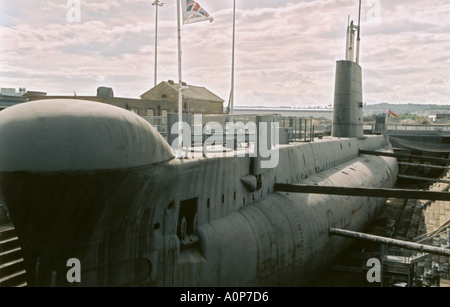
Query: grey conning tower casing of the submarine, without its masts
(348,102)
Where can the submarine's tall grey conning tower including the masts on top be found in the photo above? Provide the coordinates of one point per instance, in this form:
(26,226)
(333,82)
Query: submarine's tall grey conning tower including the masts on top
(348,105)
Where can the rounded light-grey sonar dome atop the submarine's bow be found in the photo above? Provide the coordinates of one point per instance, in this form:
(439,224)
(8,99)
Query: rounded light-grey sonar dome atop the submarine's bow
(76,135)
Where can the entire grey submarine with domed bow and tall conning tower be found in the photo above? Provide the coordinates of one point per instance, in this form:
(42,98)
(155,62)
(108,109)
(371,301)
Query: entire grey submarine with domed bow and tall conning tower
(92,182)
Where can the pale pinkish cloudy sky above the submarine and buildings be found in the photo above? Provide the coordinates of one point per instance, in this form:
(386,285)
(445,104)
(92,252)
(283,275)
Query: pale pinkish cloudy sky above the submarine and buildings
(285,50)
